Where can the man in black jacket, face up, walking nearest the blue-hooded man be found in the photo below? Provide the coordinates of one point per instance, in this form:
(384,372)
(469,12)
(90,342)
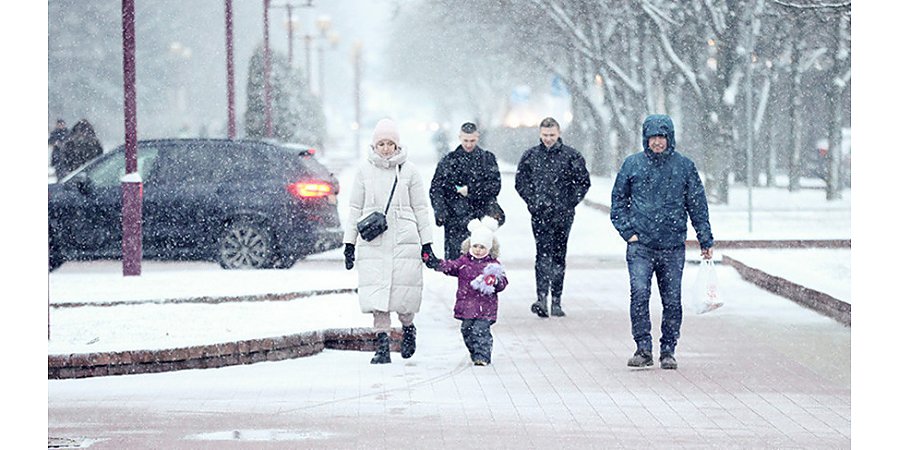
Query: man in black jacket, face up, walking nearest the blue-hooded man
(552,179)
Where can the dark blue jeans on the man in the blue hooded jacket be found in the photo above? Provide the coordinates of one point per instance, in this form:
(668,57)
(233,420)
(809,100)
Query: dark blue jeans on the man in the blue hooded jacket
(668,265)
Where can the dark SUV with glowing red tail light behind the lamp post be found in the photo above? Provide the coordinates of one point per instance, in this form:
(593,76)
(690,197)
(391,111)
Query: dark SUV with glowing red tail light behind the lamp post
(243,203)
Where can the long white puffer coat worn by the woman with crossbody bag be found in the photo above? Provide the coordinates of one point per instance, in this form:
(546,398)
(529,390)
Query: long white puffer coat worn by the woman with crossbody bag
(390,266)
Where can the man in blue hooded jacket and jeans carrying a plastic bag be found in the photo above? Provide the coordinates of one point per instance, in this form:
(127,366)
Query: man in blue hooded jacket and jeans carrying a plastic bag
(654,193)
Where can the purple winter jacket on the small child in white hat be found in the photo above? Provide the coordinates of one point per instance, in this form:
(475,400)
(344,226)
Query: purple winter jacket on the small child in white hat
(471,303)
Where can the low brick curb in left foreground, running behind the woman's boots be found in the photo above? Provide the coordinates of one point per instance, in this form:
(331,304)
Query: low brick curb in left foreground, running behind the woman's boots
(279,348)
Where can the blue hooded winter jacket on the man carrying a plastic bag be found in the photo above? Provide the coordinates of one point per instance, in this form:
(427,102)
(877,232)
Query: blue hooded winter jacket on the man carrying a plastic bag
(654,194)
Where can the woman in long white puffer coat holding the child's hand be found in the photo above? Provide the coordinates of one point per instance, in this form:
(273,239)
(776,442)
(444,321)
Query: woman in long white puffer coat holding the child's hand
(390,265)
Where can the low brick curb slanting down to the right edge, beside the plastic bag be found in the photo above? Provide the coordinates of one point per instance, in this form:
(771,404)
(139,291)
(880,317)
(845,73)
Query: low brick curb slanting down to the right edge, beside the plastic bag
(810,298)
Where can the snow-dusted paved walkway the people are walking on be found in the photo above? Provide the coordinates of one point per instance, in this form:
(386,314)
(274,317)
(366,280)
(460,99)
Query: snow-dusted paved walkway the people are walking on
(742,382)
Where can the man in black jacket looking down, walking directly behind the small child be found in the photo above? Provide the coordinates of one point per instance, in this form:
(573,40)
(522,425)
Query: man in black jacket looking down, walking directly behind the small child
(464,187)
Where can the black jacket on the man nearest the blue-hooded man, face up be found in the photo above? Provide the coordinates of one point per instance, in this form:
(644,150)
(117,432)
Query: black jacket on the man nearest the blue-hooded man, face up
(552,181)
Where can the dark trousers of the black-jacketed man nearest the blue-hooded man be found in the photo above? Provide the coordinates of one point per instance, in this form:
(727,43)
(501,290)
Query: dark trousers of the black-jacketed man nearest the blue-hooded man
(551,238)
